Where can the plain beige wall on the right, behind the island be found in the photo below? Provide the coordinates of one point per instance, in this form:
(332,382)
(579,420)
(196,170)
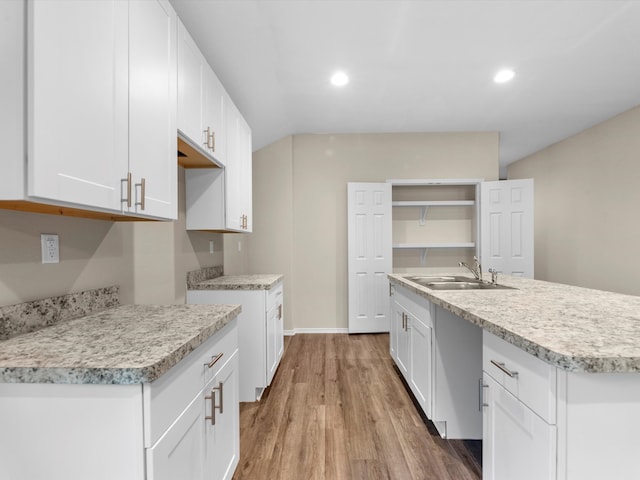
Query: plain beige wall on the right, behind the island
(587,193)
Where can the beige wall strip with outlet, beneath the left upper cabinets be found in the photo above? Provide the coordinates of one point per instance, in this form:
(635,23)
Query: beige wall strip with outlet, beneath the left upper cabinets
(148,260)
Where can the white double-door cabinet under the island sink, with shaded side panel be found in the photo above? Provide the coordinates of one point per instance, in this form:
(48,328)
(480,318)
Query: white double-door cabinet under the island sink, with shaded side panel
(439,355)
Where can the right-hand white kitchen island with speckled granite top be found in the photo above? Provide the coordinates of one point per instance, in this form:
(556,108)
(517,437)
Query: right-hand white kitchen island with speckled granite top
(559,387)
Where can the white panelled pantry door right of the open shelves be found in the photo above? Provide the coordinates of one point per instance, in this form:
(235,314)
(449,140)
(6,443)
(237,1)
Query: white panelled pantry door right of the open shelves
(506,242)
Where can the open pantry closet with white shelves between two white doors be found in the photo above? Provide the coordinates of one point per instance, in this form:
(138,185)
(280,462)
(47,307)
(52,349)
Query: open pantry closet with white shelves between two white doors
(434,216)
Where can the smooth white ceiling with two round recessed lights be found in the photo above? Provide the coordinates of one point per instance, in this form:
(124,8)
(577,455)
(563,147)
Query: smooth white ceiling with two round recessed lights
(423,65)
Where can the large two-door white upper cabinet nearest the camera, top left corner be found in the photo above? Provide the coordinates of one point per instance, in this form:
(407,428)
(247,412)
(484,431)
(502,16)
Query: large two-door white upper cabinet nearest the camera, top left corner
(100,108)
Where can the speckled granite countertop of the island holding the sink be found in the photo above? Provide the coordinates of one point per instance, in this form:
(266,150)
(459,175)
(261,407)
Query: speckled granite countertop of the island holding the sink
(577,329)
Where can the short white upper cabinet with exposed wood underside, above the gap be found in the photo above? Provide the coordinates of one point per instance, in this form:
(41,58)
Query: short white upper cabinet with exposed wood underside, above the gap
(201,120)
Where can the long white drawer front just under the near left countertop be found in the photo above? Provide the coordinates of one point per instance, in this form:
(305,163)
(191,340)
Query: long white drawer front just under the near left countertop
(169,395)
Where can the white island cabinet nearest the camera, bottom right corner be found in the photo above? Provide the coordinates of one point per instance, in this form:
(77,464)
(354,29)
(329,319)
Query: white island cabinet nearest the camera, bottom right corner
(545,423)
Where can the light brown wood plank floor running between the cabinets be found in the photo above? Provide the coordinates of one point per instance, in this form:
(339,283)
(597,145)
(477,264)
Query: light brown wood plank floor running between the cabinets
(337,409)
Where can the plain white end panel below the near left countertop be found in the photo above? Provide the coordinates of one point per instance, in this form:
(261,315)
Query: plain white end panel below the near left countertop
(71,432)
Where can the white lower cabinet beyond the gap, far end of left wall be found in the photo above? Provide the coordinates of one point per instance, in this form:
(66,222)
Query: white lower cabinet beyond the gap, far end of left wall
(260,333)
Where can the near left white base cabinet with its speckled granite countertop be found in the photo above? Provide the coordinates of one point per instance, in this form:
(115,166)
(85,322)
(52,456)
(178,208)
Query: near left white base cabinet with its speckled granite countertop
(129,392)
